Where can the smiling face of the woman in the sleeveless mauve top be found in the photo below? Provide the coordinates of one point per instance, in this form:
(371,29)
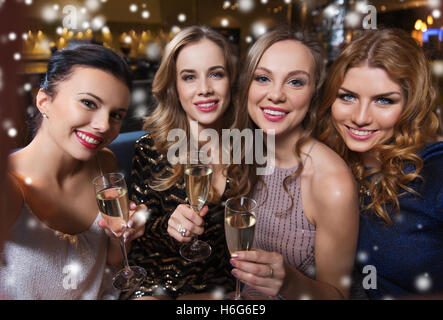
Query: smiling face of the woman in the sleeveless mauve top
(282,87)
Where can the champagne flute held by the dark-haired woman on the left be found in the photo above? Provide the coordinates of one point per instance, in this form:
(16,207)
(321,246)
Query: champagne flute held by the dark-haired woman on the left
(112,198)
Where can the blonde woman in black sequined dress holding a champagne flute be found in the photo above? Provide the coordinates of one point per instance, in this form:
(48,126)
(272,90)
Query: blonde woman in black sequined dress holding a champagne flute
(192,85)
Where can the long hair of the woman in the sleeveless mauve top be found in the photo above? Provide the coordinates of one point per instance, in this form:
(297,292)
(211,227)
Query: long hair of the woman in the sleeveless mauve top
(246,176)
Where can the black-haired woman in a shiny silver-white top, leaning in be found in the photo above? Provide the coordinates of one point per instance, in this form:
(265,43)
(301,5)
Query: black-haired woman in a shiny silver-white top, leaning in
(57,248)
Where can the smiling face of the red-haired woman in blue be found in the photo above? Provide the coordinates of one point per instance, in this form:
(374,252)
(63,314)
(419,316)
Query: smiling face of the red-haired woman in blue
(368,106)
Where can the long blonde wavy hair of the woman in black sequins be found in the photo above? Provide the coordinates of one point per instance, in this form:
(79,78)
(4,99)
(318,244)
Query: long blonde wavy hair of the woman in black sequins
(169,114)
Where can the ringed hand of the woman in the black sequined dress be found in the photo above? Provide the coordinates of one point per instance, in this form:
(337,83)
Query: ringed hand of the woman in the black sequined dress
(184,223)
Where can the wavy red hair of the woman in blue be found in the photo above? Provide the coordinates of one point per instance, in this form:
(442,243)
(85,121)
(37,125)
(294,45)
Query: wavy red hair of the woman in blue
(400,56)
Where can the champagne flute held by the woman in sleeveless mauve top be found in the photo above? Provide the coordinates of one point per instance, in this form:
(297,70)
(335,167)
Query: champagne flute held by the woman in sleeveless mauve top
(240,218)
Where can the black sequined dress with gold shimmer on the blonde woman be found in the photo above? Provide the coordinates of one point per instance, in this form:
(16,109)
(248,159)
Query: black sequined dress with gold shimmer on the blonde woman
(157,252)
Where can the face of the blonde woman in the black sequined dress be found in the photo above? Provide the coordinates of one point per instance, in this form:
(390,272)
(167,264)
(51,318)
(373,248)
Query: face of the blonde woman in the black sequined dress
(203,82)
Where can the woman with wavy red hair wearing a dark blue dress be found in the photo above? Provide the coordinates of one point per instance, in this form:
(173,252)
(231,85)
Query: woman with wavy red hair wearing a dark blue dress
(378,114)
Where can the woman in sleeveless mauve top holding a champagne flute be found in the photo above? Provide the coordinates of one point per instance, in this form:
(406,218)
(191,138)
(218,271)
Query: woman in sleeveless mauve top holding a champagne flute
(307,219)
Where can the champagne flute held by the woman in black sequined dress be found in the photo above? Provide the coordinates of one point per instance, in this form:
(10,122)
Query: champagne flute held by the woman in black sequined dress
(198,176)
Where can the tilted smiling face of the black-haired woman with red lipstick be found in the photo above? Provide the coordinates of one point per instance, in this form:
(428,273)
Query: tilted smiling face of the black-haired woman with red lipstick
(86,112)
